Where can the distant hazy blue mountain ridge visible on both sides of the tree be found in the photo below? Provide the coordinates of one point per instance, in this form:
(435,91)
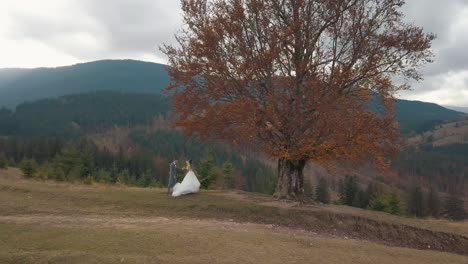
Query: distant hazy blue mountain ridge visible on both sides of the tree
(19,85)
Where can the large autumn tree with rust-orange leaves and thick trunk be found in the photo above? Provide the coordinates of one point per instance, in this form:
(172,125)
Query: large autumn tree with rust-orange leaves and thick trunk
(294,78)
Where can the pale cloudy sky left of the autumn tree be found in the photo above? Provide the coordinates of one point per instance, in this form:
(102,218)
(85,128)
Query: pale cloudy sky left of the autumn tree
(60,32)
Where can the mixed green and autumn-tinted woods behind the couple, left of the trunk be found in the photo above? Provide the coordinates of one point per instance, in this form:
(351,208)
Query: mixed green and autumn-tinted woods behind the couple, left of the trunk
(82,160)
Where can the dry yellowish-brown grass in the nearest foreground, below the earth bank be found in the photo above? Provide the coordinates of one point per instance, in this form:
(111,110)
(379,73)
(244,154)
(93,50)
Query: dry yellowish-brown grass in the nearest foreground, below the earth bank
(186,241)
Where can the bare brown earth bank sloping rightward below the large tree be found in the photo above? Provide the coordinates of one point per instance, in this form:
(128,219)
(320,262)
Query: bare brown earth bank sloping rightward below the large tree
(347,222)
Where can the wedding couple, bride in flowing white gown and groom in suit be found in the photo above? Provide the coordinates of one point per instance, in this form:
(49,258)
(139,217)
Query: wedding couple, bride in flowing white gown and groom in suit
(189,184)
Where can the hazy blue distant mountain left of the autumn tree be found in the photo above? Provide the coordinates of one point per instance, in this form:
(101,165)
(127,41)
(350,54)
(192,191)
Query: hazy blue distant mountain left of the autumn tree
(19,85)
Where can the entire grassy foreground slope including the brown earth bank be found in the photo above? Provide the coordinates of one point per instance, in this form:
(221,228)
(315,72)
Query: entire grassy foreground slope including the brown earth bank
(43,222)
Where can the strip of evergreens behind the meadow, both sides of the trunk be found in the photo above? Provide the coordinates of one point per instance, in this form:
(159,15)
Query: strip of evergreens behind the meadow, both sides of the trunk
(82,161)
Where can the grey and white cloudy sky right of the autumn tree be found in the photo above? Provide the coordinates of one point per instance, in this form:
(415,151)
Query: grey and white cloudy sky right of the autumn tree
(446,79)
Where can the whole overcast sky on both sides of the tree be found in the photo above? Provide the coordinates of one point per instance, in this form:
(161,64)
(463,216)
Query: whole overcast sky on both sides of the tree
(49,33)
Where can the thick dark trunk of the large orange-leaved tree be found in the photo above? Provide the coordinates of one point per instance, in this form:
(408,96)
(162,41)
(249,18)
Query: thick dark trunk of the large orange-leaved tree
(290,179)
